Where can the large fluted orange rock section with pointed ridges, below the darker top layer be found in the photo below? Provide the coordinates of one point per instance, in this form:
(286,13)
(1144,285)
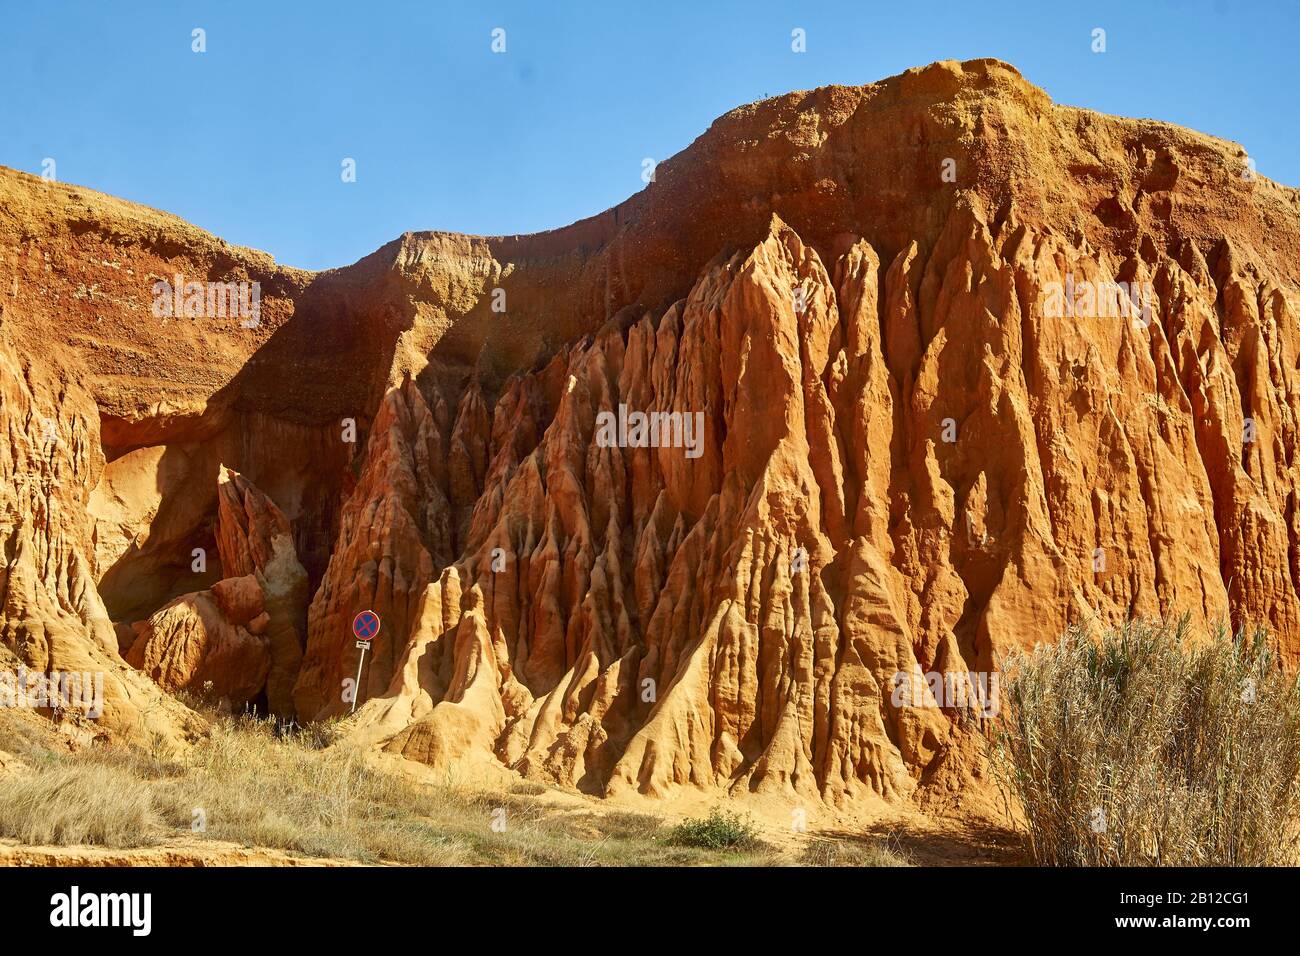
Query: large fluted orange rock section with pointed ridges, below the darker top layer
(865,503)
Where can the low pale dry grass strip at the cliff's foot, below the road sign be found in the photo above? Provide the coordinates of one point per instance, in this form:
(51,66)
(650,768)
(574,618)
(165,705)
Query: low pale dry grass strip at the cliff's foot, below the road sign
(261,785)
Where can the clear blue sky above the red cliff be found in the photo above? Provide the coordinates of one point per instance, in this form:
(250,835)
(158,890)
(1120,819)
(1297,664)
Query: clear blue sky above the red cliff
(248,139)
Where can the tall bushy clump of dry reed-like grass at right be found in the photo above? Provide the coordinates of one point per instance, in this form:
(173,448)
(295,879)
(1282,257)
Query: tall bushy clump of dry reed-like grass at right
(1137,750)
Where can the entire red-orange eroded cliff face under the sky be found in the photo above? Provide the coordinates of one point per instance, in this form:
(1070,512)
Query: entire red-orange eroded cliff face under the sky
(935,369)
